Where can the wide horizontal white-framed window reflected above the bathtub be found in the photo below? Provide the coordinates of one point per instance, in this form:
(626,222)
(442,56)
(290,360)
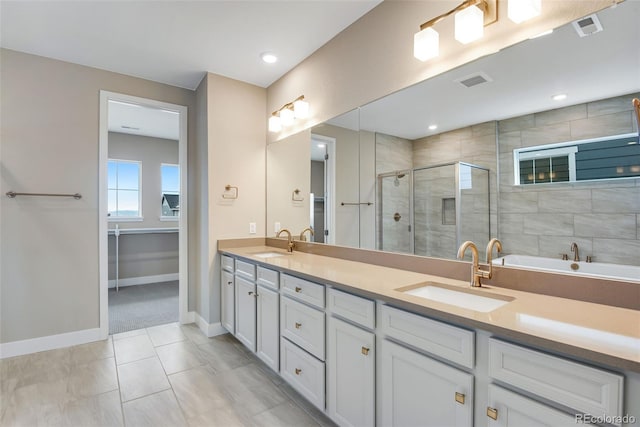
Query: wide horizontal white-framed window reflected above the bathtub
(585,160)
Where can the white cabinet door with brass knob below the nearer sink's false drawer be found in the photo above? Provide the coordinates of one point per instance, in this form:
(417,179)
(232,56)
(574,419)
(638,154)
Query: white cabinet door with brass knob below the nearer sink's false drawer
(416,390)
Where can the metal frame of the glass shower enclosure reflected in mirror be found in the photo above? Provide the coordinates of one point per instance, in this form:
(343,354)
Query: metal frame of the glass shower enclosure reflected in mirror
(458,199)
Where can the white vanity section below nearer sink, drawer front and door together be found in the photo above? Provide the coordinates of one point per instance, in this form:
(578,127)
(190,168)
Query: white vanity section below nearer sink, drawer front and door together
(415,388)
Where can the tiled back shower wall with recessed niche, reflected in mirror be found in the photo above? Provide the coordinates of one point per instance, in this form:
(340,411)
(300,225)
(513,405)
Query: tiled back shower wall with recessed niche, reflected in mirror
(473,144)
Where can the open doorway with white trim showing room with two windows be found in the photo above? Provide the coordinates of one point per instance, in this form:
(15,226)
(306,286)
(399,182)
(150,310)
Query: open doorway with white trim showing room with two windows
(142,204)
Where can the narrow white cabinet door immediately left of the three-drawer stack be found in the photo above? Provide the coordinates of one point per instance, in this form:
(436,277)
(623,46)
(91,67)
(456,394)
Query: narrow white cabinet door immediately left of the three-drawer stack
(268,336)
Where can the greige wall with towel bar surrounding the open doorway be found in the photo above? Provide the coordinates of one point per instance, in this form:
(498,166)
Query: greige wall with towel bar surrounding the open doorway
(50,118)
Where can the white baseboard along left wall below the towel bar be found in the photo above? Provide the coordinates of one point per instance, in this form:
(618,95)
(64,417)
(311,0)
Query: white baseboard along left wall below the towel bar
(50,342)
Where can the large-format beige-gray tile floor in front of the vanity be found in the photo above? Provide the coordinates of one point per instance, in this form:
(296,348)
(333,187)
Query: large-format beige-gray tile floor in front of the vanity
(169,375)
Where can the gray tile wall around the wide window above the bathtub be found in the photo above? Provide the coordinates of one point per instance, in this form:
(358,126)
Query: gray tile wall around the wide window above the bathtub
(601,217)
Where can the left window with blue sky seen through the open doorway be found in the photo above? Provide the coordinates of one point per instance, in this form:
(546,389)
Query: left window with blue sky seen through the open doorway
(124,189)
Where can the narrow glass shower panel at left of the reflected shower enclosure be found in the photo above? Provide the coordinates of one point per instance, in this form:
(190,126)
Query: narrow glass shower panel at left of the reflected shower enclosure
(395,207)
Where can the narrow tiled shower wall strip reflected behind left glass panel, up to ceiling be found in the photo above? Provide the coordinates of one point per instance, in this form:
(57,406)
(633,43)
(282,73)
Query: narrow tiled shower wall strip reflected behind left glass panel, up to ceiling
(393,154)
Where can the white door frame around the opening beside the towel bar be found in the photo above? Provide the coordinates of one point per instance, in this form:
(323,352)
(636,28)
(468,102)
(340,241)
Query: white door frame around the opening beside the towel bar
(103,225)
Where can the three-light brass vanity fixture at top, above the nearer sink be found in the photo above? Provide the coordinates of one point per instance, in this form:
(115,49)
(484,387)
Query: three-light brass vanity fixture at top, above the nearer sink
(471,16)
